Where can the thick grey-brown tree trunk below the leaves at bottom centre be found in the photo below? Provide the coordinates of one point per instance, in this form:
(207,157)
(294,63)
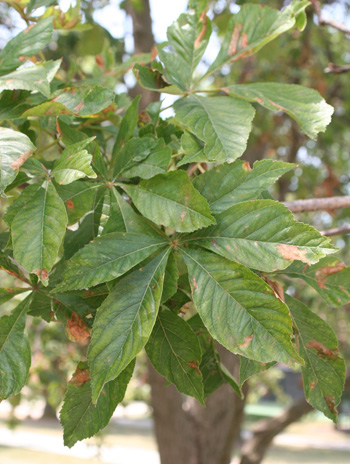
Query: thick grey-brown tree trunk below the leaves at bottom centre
(187,432)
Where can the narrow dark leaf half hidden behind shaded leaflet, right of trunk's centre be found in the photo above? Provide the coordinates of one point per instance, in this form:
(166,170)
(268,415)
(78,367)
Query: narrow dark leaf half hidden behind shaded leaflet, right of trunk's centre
(214,372)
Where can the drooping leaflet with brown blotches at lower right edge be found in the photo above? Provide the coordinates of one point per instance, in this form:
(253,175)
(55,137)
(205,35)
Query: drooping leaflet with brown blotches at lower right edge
(324,369)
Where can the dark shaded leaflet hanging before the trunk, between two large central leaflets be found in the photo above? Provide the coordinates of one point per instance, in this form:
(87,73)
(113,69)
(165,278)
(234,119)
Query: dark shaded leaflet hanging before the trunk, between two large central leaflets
(173,349)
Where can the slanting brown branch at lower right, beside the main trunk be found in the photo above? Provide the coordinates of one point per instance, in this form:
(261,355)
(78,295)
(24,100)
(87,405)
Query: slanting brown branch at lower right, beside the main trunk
(255,448)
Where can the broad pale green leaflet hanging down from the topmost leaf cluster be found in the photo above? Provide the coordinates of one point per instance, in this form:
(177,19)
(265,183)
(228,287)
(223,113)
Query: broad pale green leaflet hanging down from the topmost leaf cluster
(223,123)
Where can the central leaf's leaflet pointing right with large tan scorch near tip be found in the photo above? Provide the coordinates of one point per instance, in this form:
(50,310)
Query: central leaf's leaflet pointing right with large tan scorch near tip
(263,235)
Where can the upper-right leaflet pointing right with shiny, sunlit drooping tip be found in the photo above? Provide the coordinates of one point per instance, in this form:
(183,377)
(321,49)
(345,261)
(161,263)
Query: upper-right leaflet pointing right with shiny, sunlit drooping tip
(304,105)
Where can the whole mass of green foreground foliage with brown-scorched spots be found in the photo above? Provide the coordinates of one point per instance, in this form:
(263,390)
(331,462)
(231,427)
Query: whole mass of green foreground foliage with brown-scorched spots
(116,238)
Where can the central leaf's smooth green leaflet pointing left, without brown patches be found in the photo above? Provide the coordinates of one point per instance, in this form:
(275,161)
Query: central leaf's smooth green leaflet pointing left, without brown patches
(106,258)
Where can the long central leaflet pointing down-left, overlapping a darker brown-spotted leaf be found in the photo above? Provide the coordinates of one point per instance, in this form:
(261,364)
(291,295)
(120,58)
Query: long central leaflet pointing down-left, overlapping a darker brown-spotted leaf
(125,321)
